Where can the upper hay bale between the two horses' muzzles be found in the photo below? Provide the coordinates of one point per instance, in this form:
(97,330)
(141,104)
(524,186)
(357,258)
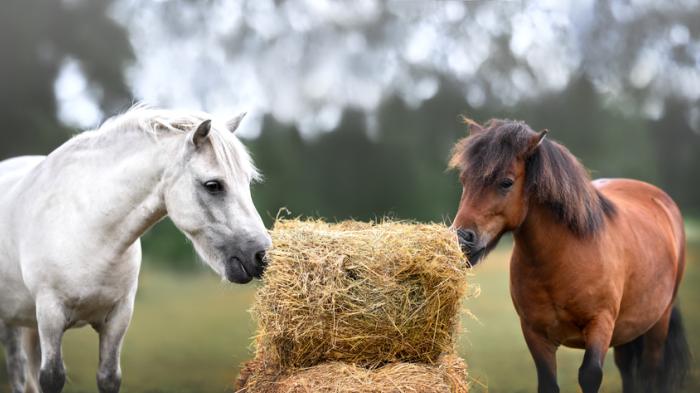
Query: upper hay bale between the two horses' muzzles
(361,293)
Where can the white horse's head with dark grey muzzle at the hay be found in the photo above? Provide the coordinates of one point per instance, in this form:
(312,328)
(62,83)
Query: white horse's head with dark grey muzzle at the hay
(207,196)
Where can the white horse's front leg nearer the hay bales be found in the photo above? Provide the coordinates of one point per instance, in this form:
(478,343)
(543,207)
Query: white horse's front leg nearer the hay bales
(112,331)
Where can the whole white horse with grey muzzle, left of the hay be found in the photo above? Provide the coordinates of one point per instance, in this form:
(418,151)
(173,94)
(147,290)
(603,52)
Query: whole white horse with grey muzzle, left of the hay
(70,224)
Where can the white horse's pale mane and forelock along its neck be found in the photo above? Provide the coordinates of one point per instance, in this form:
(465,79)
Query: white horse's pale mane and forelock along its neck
(229,151)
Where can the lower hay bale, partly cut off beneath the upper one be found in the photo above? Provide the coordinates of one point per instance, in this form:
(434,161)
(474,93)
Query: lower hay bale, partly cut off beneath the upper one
(449,375)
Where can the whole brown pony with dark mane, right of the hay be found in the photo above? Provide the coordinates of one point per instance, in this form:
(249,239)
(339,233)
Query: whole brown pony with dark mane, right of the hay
(595,264)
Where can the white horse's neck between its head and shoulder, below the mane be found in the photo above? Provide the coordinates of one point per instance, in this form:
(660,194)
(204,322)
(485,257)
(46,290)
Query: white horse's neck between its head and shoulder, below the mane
(128,167)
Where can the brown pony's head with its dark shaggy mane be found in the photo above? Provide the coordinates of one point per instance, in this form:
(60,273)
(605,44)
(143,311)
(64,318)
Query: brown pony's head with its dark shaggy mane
(504,167)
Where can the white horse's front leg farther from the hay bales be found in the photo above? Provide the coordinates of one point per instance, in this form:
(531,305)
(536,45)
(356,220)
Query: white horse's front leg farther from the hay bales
(52,321)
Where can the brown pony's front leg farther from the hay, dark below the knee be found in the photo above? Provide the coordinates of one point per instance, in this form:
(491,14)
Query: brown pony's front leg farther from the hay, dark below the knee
(597,334)
